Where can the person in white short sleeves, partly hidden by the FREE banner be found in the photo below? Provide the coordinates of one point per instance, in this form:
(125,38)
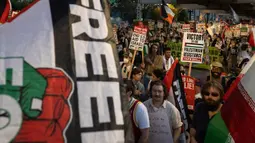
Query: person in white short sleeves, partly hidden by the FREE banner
(138,121)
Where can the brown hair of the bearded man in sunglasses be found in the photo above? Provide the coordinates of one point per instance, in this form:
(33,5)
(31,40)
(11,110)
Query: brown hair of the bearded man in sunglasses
(214,84)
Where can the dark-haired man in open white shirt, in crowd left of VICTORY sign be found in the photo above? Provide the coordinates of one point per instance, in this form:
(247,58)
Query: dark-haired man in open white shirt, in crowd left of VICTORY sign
(168,60)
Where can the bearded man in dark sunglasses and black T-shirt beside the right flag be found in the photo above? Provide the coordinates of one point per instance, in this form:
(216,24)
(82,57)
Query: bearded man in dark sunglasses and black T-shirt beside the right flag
(212,93)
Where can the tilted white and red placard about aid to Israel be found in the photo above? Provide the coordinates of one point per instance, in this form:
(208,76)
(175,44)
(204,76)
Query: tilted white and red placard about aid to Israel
(138,38)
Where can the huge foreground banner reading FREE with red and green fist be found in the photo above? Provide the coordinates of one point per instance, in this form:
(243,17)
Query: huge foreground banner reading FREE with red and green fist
(59,79)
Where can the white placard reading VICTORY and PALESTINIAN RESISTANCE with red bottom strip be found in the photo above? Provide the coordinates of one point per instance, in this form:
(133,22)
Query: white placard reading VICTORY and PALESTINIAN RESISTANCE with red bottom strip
(192,47)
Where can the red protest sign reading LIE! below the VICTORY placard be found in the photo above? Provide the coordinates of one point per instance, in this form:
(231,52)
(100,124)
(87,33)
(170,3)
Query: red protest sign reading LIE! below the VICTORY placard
(189,88)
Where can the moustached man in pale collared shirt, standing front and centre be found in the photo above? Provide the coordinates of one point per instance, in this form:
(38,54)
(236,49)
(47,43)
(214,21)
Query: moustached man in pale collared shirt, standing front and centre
(165,119)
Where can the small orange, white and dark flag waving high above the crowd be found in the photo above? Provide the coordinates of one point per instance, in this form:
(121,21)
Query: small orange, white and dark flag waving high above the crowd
(166,13)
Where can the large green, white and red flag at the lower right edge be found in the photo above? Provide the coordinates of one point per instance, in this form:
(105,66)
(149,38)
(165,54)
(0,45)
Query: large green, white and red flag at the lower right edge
(235,123)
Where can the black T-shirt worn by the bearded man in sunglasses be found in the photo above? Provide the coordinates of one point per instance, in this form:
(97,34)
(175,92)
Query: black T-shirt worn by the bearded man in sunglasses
(200,121)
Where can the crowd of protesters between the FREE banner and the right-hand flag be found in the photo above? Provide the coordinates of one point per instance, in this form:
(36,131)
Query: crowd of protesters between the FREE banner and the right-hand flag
(148,95)
